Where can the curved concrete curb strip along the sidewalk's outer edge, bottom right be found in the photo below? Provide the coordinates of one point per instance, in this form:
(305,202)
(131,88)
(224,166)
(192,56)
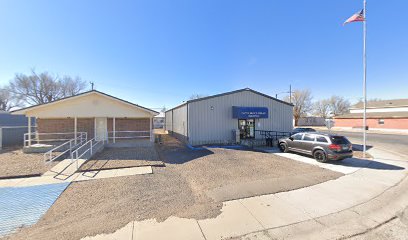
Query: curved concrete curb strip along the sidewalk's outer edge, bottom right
(351,222)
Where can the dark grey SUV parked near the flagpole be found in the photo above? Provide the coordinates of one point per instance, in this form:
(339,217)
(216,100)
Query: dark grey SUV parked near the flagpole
(322,146)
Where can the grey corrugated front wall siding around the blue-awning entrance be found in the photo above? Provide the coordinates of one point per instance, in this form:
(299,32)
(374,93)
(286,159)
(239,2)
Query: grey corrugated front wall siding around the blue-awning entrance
(216,126)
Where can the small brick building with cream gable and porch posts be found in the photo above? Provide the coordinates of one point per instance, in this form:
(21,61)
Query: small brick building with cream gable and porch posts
(97,114)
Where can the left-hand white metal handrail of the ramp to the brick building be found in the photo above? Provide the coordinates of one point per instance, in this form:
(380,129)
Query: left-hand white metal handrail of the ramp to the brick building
(66,147)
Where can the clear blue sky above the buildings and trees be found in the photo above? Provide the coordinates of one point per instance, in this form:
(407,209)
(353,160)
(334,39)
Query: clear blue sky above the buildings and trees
(157,53)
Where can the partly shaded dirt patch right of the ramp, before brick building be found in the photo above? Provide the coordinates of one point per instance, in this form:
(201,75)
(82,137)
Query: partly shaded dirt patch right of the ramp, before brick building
(111,158)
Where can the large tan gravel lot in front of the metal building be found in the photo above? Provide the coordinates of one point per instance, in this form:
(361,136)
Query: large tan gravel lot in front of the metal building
(185,188)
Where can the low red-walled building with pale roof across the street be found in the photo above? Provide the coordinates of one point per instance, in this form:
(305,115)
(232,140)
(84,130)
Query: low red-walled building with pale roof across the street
(386,115)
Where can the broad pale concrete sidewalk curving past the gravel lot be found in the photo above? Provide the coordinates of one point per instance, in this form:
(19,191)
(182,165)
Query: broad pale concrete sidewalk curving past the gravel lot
(365,197)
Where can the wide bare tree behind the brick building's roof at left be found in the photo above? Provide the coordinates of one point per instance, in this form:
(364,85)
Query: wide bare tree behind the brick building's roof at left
(44,87)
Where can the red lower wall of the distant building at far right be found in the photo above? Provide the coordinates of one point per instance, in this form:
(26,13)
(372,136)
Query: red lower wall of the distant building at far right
(389,123)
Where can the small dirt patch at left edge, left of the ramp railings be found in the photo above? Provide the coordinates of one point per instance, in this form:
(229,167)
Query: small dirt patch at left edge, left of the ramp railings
(13,162)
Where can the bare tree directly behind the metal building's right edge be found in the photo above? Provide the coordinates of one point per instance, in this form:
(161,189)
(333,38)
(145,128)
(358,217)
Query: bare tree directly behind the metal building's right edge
(302,101)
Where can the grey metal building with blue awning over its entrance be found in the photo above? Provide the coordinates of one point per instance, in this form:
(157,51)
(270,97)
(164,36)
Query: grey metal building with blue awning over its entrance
(229,118)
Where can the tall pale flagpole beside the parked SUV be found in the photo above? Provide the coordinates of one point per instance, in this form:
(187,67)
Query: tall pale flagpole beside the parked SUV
(365,80)
